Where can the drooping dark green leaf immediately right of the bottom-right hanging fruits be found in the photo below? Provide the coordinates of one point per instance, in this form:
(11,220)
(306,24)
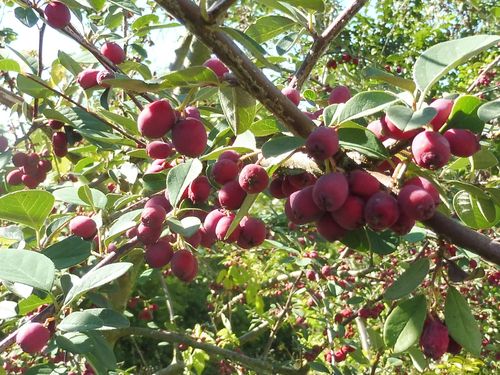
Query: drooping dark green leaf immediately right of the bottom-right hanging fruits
(461,323)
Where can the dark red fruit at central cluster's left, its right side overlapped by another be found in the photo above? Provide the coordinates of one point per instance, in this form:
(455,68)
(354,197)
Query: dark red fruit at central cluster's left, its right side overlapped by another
(302,208)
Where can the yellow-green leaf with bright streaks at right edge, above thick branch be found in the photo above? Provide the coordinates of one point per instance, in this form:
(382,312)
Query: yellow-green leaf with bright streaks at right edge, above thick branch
(475,212)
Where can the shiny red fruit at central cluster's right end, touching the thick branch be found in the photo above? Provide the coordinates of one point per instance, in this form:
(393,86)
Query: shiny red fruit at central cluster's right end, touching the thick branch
(416,203)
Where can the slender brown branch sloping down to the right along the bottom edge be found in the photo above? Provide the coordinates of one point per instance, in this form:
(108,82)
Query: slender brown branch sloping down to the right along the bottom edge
(260,366)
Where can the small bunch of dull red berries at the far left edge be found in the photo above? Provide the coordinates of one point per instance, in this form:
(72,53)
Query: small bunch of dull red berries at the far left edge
(31,170)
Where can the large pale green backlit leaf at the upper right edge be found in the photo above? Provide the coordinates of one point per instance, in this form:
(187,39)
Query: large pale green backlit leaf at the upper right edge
(443,57)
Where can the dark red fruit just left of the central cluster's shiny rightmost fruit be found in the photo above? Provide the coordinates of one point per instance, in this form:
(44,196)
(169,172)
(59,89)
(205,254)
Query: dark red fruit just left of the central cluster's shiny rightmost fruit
(381,211)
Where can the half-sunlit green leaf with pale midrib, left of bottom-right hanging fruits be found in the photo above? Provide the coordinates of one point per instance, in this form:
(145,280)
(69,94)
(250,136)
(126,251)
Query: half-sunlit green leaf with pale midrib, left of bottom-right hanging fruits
(404,324)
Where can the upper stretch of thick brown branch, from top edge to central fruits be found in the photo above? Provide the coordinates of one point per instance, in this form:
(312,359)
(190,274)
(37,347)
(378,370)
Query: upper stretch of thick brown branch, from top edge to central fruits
(250,76)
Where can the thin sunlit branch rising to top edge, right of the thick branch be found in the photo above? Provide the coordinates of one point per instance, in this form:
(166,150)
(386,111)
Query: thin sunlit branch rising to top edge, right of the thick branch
(321,44)
